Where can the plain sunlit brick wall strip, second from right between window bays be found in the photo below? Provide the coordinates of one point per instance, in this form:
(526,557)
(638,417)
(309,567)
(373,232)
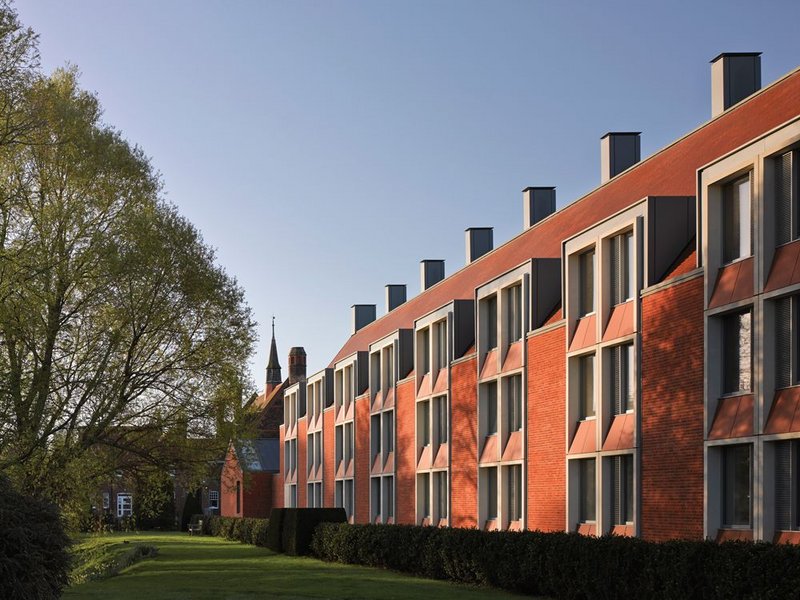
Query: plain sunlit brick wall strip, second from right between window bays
(546,423)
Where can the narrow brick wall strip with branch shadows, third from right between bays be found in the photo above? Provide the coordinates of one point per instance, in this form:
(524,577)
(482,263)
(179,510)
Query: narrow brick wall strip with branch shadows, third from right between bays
(464,428)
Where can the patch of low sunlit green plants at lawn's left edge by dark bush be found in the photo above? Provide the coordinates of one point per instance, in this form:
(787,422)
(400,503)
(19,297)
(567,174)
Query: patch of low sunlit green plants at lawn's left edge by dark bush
(99,558)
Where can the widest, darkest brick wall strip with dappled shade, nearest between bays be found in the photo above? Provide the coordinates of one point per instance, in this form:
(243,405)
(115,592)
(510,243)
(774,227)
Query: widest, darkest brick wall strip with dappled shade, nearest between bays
(672,413)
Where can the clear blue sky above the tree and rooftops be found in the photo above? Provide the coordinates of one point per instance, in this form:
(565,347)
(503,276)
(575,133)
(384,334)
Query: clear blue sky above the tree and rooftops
(325,148)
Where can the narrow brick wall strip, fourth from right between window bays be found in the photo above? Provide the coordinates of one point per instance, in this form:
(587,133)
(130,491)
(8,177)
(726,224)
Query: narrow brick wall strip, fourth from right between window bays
(405,451)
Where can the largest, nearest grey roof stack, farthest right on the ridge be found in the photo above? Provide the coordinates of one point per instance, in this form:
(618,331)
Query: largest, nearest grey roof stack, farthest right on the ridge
(734,76)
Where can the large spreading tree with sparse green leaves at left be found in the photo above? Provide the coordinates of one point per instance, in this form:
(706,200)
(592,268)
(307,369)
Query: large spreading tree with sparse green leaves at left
(121,339)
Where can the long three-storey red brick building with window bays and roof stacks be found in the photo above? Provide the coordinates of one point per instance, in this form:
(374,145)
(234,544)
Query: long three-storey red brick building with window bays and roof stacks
(627,364)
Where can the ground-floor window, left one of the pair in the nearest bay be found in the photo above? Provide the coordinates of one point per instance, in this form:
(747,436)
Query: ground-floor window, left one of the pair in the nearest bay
(737,473)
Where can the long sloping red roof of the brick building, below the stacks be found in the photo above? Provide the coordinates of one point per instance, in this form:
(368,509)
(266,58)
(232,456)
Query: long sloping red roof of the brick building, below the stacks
(670,172)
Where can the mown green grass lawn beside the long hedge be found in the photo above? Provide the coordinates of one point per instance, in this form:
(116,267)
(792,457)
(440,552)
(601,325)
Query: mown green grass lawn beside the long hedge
(199,567)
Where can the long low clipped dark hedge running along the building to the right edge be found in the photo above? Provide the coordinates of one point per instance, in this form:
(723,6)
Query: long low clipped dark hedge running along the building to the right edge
(570,566)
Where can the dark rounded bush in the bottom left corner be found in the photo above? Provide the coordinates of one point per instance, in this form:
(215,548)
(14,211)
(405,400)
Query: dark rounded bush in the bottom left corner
(34,562)
